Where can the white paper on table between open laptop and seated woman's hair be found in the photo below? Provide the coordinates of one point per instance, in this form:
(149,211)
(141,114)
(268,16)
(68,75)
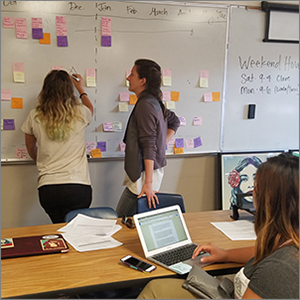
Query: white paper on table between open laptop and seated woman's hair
(239,230)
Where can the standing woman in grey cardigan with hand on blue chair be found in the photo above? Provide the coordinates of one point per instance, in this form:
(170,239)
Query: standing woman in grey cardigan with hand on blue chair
(150,126)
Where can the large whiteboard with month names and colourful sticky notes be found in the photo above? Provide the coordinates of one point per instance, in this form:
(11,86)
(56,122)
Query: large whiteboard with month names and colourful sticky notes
(186,38)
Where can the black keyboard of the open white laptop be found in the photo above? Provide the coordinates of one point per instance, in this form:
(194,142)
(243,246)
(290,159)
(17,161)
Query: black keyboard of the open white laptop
(174,256)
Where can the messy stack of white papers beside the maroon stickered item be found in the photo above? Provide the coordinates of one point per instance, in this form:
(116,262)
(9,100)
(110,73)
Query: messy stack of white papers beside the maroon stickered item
(86,233)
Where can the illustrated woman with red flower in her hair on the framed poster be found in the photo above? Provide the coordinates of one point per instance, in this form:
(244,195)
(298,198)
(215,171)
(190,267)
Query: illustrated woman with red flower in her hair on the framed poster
(241,179)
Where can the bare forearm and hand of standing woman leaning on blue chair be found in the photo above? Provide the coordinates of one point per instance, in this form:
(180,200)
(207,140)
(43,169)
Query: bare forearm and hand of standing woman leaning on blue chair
(147,187)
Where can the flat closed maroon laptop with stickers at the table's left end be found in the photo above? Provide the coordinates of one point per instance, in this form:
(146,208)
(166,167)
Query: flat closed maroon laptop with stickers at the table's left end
(33,245)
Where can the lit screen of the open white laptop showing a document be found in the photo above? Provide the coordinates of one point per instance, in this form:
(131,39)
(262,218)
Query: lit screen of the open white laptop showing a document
(162,229)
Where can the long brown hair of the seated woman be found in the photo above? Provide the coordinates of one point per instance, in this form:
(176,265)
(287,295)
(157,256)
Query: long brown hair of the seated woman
(276,197)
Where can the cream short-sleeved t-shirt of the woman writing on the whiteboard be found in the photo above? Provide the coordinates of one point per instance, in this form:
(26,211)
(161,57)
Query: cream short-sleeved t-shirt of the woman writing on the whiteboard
(61,162)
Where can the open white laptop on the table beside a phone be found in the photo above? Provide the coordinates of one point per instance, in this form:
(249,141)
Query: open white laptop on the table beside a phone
(163,232)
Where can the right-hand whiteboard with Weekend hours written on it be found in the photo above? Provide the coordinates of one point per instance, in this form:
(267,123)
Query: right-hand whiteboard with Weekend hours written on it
(264,74)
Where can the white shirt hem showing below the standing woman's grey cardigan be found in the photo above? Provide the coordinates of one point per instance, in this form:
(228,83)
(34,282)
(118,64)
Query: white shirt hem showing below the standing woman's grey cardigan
(136,187)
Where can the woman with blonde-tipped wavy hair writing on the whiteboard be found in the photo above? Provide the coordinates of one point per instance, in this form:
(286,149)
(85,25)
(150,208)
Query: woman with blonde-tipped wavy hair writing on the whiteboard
(55,139)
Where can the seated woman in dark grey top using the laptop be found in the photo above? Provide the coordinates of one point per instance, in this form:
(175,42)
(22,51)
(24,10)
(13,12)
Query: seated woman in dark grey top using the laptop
(272,266)
